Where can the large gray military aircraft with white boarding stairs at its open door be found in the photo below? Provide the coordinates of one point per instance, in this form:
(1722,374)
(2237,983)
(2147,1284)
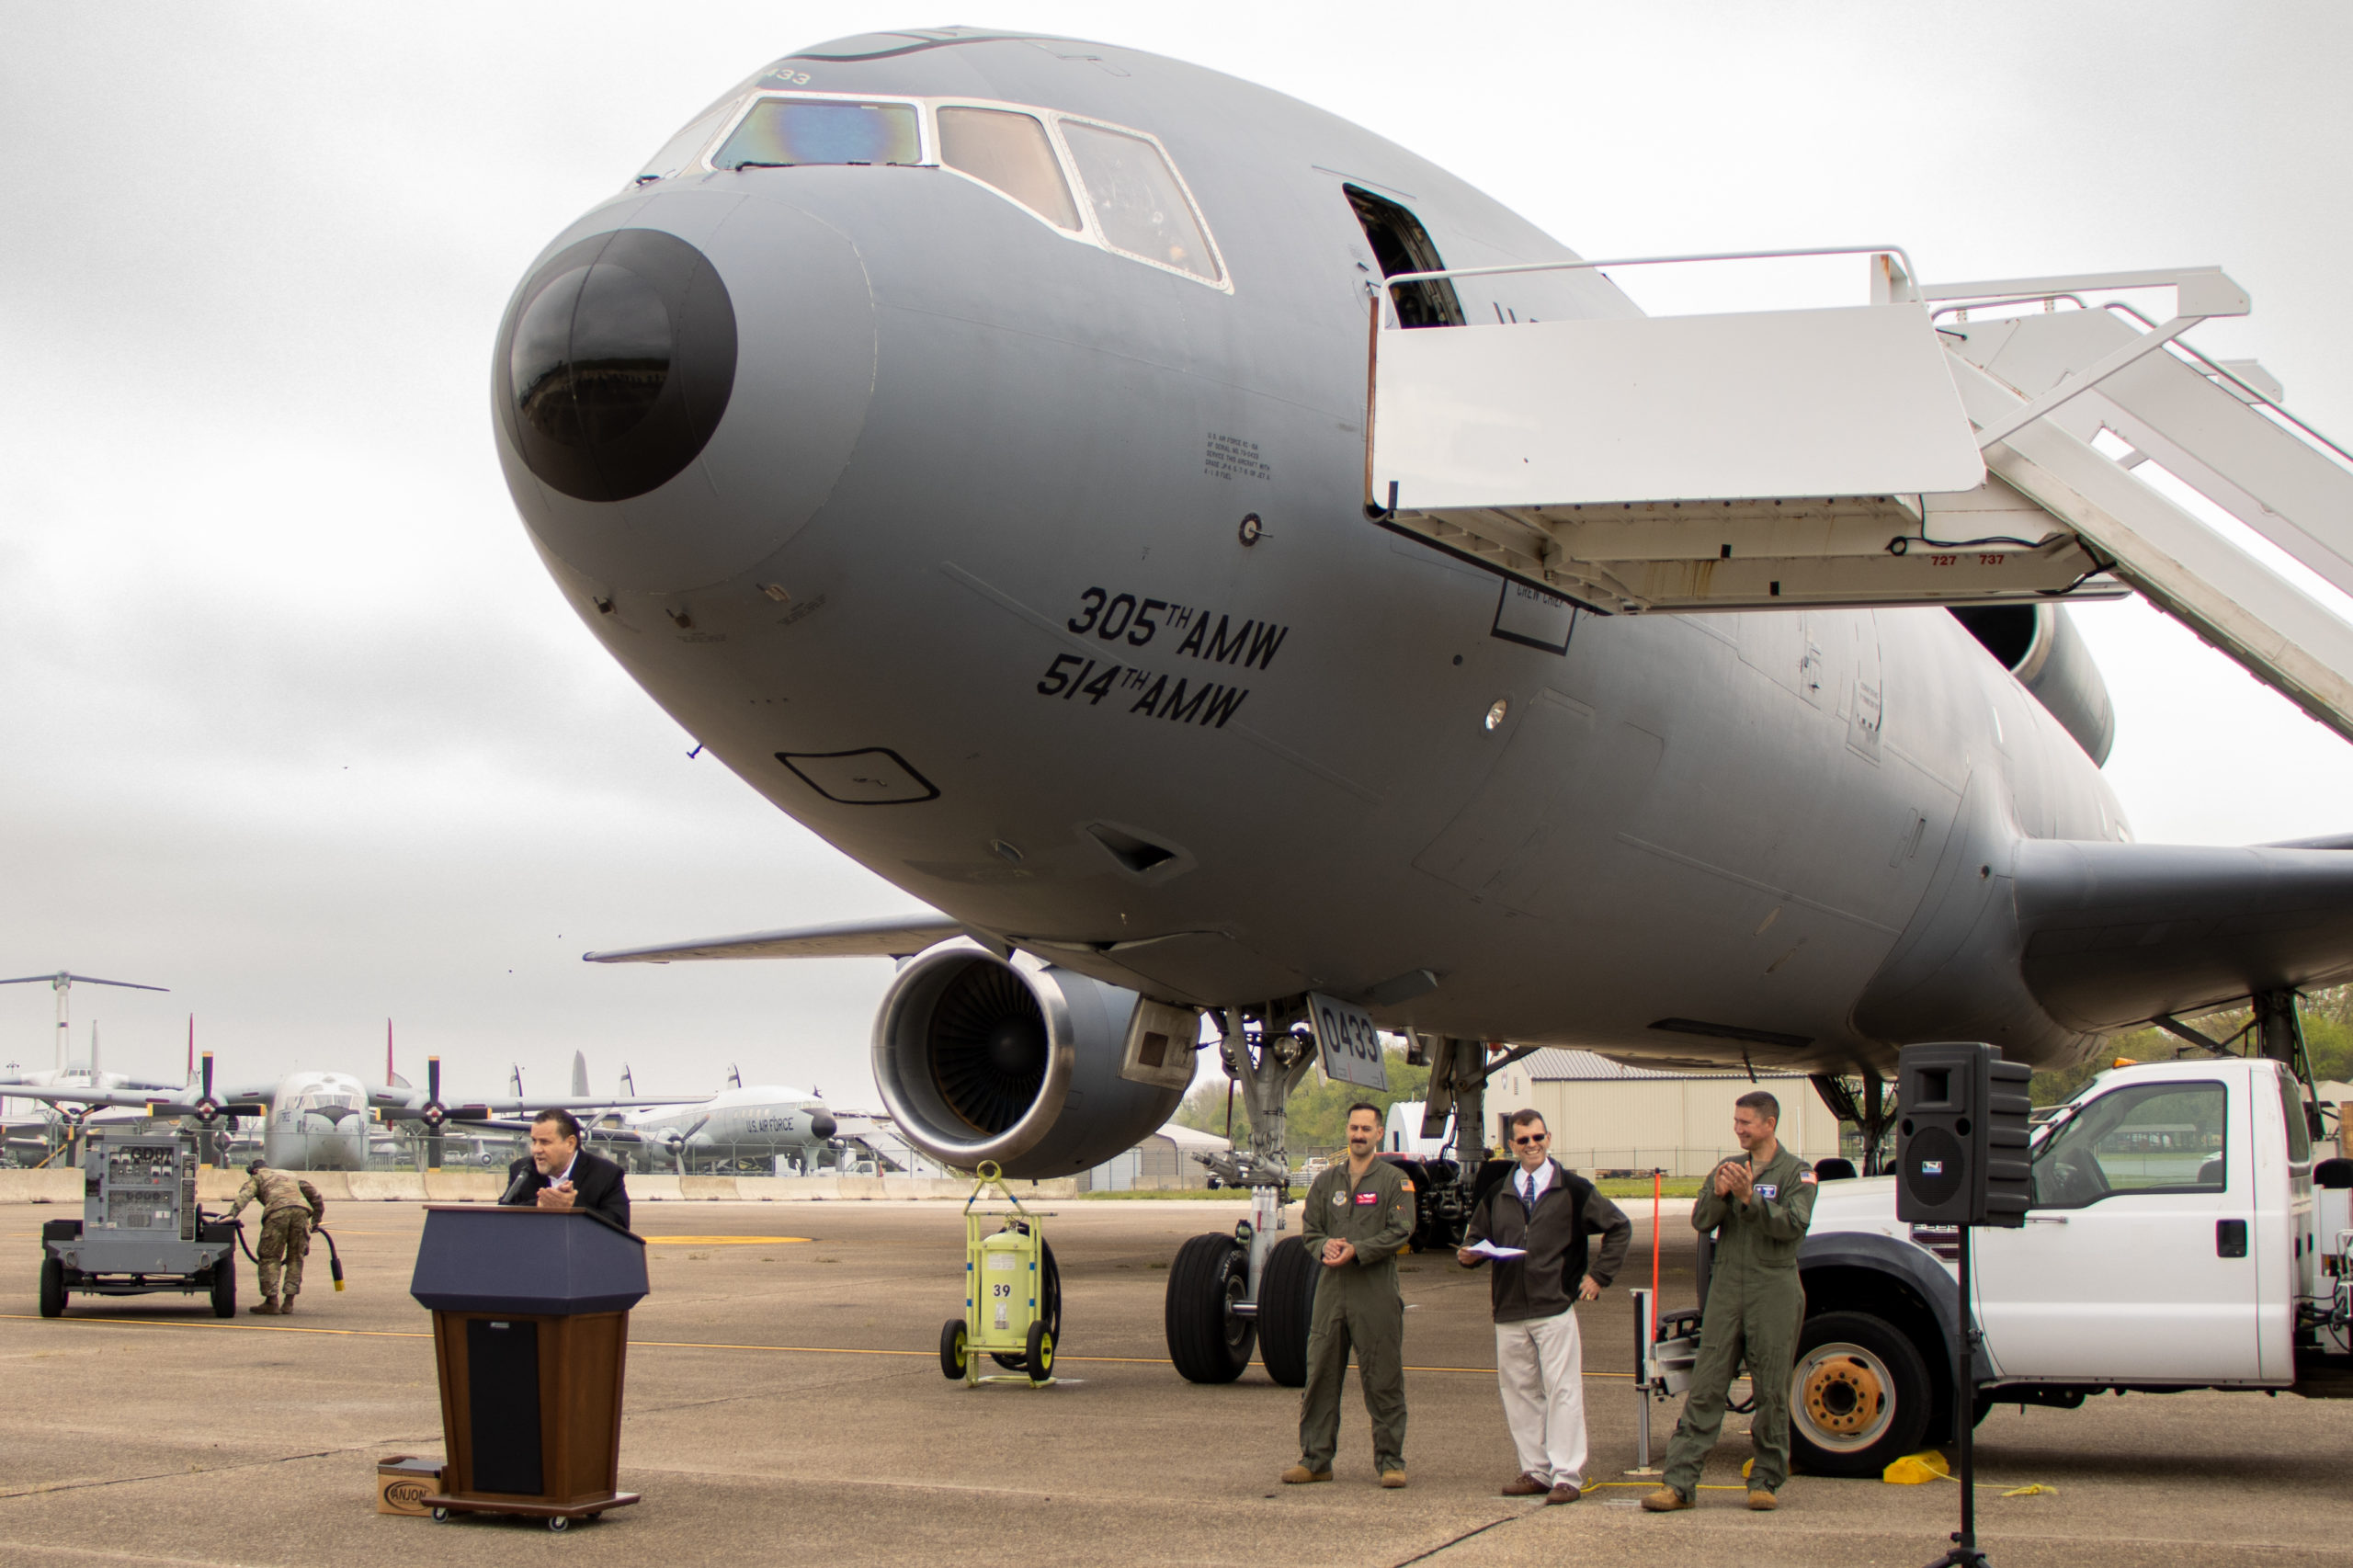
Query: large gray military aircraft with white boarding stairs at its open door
(987,446)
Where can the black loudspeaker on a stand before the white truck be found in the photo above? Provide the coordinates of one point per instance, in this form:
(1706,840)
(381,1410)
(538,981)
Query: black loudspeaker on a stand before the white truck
(1961,1145)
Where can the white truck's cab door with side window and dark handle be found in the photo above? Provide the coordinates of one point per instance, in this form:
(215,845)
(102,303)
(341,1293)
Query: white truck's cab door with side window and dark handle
(2135,1256)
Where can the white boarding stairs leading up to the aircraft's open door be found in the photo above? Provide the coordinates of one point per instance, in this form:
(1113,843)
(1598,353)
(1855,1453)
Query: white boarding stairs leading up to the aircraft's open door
(1938,446)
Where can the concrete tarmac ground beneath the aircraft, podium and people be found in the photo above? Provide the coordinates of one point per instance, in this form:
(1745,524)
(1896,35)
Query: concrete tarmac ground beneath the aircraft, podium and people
(785,1404)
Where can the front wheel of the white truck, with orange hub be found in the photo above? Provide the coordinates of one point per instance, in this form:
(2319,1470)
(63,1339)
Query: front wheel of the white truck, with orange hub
(1858,1397)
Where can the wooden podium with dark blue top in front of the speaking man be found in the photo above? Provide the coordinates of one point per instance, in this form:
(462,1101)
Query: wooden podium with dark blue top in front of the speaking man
(531,1334)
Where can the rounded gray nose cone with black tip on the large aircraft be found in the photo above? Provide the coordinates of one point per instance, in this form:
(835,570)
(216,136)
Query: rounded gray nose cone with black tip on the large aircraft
(679,387)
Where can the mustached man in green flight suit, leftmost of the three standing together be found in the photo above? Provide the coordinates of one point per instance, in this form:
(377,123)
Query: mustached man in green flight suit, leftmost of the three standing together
(1359,1216)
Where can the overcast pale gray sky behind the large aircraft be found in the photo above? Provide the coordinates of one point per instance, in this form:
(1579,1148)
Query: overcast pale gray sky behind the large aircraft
(300,729)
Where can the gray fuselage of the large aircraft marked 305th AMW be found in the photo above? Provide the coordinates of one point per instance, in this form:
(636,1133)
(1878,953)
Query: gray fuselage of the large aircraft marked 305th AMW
(964,583)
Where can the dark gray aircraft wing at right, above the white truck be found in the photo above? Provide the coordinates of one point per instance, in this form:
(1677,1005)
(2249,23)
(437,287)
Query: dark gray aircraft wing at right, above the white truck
(2121,934)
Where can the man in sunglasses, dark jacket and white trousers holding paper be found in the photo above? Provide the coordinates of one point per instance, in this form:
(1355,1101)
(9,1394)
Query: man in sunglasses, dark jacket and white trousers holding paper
(1552,1218)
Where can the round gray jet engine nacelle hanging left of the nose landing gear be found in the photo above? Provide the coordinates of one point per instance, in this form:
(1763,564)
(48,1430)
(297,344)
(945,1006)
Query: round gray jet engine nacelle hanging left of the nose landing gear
(982,1061)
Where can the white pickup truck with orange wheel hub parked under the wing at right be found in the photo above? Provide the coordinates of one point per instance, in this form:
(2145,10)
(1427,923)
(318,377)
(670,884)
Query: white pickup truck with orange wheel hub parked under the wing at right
(2182,1237)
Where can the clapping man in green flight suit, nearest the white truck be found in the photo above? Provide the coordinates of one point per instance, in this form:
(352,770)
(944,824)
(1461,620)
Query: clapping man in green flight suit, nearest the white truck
(1759,1209)
